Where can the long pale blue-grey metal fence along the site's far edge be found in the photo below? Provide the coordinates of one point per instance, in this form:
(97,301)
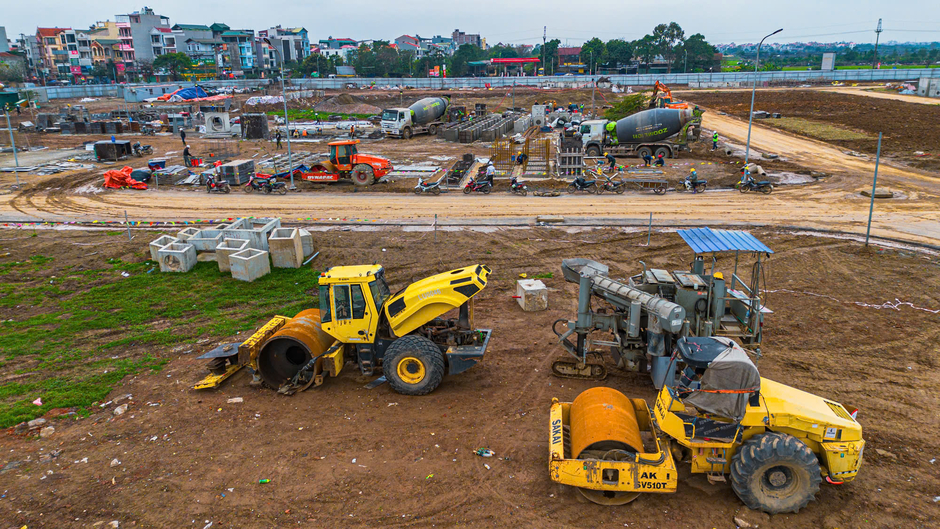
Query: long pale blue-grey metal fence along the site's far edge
(566,81)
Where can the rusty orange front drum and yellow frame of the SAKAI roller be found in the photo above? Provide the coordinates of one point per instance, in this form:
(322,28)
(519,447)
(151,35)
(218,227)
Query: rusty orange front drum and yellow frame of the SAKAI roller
(606,445)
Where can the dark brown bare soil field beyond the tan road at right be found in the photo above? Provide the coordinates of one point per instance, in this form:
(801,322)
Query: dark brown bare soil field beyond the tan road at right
(906,127)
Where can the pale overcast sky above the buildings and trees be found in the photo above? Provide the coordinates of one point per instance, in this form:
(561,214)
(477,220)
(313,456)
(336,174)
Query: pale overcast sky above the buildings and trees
(516,21)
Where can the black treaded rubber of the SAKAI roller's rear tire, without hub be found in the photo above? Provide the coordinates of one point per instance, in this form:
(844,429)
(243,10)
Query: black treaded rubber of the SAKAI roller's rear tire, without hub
(766,447)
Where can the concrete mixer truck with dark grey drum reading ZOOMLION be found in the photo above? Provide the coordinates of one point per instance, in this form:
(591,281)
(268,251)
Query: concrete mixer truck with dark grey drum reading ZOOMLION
(656,131)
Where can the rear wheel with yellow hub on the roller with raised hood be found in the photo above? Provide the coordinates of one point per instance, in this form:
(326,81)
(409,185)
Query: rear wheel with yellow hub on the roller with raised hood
(413,365)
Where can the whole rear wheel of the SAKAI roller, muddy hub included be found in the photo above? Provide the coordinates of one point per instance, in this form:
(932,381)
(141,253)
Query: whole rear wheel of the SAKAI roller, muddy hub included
(775,473)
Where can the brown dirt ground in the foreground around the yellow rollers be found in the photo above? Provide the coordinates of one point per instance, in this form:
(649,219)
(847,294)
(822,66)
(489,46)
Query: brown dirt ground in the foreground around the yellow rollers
(852,324)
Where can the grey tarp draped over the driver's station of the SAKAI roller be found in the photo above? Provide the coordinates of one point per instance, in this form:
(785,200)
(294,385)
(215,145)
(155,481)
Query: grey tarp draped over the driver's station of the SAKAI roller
(731,370)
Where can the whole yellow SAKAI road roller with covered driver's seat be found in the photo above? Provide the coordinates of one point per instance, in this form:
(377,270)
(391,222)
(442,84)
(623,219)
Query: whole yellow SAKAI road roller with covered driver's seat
(776,443)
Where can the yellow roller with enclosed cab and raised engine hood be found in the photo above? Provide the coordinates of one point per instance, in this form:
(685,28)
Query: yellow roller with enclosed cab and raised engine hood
(408,335)
